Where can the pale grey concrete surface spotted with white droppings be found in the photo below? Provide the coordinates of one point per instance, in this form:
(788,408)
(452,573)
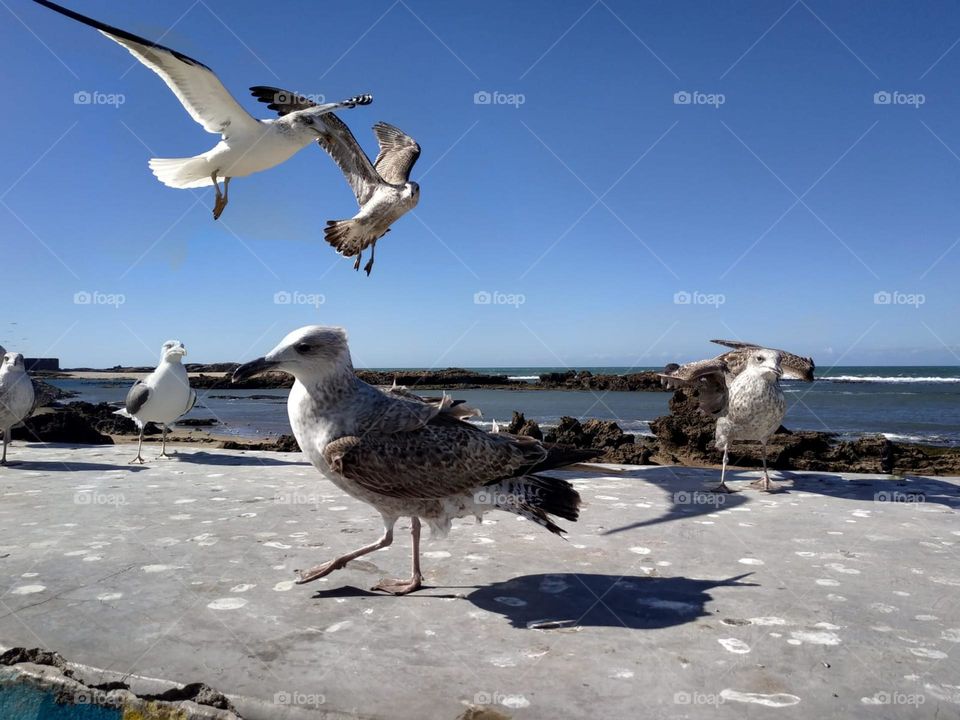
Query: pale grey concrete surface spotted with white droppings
(837,597)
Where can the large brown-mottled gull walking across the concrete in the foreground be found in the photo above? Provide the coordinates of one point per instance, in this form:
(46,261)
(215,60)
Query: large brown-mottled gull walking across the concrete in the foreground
(406,456)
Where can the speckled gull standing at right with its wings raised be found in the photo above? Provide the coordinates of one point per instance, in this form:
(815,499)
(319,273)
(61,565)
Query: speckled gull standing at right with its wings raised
(741,388)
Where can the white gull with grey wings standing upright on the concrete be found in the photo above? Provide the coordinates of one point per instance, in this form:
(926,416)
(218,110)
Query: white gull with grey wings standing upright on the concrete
(162,396)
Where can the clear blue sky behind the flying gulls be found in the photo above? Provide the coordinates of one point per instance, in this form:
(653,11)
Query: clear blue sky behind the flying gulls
(779,202)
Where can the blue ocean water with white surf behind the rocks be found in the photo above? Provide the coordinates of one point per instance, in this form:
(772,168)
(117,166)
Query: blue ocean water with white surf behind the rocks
(915,404)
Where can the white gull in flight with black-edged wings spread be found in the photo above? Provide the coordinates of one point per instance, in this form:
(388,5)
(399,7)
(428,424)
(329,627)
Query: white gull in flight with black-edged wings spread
(247,145)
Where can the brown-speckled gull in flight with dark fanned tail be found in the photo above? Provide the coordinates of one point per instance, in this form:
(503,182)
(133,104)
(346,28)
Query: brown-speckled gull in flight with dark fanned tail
(382,188)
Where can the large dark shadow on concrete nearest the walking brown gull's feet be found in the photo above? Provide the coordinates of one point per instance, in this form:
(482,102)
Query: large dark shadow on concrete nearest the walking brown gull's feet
(571,600)
